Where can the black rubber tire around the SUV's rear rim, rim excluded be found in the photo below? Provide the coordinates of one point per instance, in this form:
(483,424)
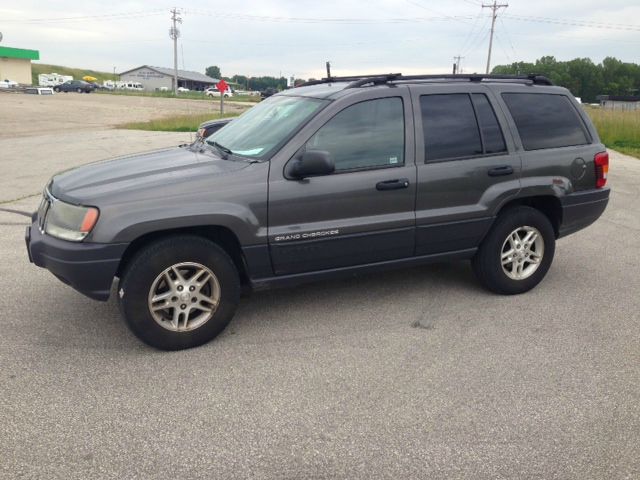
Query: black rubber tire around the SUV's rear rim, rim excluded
(487,263)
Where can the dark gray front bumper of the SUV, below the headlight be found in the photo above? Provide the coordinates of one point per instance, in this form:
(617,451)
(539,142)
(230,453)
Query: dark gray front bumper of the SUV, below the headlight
(87,267)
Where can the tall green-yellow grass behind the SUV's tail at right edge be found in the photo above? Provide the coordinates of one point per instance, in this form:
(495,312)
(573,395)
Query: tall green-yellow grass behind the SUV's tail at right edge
(619,130)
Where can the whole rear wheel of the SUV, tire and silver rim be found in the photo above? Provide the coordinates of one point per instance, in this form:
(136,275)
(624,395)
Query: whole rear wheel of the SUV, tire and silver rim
(517,252)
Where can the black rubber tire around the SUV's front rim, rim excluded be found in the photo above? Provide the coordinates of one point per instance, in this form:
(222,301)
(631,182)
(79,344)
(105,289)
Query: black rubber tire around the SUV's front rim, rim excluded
(151,261)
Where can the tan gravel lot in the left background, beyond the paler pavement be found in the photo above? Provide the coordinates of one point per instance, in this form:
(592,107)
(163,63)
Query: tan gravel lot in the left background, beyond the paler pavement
(28,115)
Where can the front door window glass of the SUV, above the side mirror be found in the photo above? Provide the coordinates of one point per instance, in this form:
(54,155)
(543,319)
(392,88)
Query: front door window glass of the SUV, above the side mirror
(365,135)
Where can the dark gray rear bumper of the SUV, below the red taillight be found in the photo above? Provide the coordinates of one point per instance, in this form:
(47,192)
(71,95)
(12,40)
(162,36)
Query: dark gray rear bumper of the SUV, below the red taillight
(581,209)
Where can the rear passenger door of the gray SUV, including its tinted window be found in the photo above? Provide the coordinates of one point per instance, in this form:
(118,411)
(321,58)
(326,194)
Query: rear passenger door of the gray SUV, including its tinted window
(467,165)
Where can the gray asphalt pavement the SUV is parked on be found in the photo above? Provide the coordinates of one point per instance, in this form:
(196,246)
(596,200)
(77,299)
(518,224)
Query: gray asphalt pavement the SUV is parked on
(408,374)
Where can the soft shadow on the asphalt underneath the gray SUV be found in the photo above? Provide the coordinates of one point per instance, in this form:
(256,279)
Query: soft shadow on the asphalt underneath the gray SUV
(325,306)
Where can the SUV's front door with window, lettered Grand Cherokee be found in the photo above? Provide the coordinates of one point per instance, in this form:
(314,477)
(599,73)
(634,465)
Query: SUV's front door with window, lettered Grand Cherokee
(363,212)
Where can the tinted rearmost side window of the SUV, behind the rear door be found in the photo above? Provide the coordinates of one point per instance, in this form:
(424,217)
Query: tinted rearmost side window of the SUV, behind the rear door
(545,120)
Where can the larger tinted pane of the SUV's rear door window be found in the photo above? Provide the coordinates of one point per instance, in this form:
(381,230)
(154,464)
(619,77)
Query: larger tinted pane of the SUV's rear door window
(449,126)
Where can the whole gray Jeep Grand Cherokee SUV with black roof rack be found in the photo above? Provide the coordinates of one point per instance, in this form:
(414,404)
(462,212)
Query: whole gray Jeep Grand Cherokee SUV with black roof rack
(338,177)
